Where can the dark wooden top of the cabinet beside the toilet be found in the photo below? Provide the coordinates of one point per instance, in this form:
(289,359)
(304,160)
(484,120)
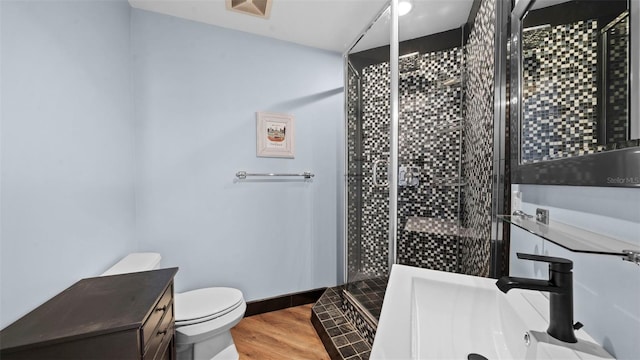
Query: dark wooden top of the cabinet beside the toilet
(88,308)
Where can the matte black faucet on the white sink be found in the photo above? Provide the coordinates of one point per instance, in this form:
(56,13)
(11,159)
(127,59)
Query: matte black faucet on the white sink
(560,288)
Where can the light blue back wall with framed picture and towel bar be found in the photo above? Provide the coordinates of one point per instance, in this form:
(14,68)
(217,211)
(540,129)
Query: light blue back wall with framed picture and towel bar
(197,88)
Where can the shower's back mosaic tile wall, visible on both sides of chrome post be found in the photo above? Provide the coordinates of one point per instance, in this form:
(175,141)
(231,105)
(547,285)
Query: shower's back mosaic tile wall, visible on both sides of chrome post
(429,140)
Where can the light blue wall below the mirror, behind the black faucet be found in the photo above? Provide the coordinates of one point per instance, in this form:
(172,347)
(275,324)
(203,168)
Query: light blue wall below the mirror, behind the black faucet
(606,289)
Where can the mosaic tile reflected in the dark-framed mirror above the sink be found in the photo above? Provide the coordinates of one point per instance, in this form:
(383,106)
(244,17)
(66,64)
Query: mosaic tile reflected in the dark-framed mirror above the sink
(560,115)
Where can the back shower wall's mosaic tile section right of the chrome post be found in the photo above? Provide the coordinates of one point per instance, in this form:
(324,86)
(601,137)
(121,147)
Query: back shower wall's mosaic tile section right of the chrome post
(429,138)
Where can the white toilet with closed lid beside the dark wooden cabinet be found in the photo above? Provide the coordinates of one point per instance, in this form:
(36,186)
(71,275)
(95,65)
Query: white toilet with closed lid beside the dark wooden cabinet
(204,317)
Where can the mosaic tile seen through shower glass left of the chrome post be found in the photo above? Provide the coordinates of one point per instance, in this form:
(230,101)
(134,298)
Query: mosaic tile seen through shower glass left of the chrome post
(367,178)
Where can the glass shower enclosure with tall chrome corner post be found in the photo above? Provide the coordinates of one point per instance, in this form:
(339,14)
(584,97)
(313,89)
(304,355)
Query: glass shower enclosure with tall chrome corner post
(404,146)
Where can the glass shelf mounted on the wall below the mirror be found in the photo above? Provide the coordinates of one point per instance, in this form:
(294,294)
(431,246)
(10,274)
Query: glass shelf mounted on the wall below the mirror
(576,239)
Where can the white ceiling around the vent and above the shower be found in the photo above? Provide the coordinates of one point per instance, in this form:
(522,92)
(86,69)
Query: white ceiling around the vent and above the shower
(325,24)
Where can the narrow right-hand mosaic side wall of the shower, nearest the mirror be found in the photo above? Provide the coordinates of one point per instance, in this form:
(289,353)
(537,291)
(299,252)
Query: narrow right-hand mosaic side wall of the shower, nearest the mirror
(477,162)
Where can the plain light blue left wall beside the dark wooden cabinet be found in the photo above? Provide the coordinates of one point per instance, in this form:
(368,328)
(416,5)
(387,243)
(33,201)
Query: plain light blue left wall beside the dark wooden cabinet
(67,204)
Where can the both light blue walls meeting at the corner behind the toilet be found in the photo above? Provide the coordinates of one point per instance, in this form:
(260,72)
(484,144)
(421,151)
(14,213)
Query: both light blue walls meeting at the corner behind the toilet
(122,131)
